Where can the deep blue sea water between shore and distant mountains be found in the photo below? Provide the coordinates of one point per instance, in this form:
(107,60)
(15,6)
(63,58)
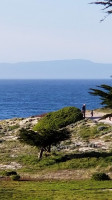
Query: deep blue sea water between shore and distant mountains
(23,98)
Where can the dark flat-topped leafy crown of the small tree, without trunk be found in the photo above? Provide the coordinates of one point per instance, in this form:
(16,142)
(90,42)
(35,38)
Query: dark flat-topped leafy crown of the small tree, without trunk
(43,139)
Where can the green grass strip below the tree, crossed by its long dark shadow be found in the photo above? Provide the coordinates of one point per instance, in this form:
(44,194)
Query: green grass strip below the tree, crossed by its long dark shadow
(59,161)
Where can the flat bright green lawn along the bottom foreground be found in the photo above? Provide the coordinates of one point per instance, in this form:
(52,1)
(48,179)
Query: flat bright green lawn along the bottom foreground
(56,190)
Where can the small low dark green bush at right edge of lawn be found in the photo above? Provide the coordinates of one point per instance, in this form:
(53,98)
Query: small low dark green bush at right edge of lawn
(100,177)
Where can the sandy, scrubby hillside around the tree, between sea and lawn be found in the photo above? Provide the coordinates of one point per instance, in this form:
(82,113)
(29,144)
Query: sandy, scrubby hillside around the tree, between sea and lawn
(88,150)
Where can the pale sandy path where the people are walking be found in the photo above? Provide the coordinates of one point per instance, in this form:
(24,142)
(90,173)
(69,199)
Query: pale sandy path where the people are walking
(97,115)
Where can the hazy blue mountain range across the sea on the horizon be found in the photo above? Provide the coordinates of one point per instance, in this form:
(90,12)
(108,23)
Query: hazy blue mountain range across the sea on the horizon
(60,69)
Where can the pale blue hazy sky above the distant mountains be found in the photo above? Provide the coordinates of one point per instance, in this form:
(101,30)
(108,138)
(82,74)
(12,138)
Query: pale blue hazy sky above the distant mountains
(44,30)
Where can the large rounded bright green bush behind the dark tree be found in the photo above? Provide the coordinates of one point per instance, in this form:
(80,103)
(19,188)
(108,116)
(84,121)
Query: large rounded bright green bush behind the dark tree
(59,119)
